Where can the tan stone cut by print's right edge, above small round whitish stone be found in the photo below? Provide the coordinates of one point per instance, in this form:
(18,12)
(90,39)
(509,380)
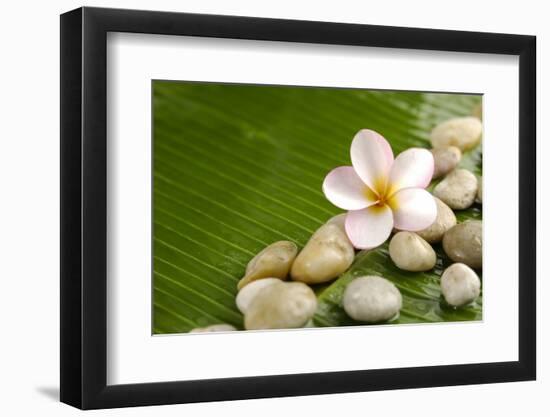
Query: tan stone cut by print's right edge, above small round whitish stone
(463,243)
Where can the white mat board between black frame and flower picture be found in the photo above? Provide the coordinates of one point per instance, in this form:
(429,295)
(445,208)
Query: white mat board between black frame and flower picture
(133,60)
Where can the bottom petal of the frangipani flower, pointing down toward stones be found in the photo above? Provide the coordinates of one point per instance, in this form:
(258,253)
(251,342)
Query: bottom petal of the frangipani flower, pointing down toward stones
(370,227)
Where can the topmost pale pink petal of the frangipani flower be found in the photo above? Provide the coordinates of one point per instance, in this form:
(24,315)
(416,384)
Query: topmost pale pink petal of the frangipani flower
(372,158)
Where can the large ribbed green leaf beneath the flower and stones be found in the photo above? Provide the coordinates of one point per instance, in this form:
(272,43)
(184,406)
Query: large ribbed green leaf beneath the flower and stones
(237,167)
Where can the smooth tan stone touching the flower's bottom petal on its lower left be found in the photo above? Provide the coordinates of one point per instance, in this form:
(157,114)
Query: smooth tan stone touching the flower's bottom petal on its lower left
(327,254)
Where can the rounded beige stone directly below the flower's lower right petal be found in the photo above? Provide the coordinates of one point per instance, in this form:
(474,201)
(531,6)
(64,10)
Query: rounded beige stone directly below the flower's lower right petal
(410,252)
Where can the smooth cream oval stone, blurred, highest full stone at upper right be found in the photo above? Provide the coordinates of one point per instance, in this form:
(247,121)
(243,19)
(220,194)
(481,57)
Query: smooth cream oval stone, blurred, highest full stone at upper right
(462,132)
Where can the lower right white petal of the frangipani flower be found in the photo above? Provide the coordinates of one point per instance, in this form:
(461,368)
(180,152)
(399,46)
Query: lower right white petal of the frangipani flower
(413,209)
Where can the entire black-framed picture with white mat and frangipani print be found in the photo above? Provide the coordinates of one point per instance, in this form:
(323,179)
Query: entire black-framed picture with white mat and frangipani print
(258,208)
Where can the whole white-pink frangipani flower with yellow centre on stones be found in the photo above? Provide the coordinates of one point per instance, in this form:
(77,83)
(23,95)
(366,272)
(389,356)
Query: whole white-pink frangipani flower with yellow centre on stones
(382,193)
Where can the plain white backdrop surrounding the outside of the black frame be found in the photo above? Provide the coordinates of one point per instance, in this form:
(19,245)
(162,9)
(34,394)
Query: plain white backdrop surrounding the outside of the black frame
(29,225)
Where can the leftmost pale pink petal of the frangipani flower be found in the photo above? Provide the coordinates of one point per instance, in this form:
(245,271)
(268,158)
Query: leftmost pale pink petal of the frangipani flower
(344,189)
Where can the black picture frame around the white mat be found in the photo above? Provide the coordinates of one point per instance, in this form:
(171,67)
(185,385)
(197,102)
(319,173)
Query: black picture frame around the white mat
(84,207)
